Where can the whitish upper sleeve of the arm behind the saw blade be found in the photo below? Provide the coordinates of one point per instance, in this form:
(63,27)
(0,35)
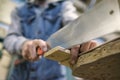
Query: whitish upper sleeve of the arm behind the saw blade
(69,12)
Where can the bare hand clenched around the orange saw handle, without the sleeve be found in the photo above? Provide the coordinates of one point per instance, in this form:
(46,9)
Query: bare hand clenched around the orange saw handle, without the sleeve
(29,49)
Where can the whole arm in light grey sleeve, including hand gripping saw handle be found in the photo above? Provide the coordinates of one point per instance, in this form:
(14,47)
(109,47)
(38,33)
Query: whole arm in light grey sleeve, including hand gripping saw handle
(15,42)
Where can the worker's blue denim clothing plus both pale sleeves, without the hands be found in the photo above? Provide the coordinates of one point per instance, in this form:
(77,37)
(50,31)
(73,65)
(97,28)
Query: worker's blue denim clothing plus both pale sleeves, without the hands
(26,24)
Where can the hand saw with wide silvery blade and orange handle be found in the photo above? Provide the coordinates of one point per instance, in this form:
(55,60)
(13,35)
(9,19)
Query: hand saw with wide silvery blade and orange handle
(103,19)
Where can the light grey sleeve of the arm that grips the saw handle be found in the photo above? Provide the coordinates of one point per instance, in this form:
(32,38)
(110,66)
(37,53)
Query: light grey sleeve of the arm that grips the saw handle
(14,39)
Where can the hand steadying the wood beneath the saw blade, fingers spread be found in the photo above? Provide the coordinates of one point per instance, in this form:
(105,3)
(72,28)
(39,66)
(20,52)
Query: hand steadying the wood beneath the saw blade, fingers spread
(81,48)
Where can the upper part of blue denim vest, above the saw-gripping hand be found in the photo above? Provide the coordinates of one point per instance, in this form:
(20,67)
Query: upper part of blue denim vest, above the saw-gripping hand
(41,26)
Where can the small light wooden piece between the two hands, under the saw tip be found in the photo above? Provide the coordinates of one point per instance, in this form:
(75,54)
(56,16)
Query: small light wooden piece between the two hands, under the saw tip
(59,54)
